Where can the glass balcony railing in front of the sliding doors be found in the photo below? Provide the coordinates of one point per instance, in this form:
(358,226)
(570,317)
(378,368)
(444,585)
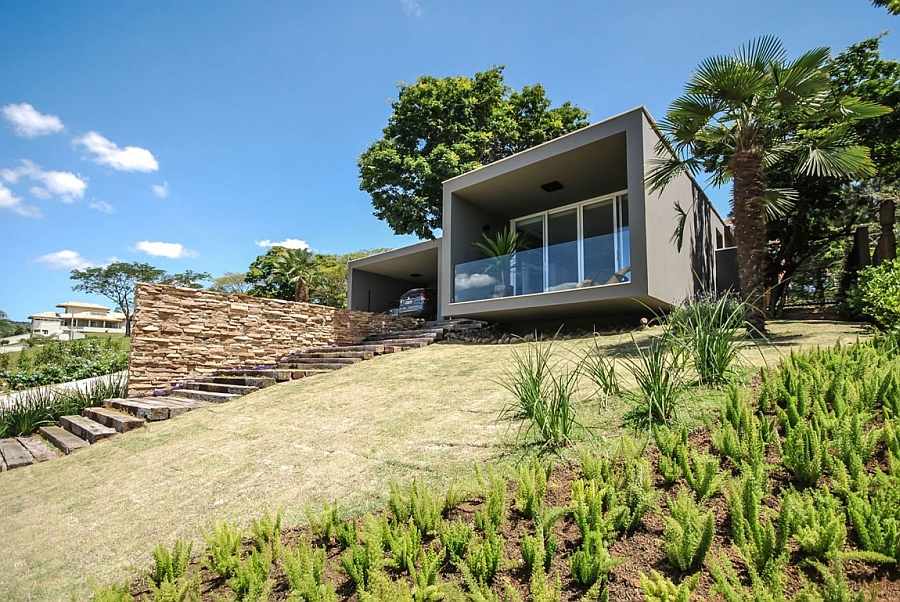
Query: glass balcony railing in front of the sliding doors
(529,272)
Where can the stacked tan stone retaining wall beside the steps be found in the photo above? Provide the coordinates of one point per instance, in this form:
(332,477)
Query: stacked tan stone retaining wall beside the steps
(179,333)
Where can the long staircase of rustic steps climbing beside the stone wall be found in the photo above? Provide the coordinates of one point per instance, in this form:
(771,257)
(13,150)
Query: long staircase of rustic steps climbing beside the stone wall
(118,416)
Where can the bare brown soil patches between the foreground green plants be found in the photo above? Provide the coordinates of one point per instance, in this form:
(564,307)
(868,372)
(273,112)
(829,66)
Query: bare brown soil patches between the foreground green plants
(641,550)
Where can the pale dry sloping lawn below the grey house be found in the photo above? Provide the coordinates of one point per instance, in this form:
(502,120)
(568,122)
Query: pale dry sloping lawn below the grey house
(431,413)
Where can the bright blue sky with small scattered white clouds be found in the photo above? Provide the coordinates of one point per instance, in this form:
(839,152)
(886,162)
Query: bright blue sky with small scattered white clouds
(187,134)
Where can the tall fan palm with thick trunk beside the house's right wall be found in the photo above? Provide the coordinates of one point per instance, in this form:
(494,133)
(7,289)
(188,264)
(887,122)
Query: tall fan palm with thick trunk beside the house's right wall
(743,113)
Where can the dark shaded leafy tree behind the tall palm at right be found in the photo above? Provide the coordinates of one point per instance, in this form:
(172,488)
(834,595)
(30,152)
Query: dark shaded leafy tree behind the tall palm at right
(805,241)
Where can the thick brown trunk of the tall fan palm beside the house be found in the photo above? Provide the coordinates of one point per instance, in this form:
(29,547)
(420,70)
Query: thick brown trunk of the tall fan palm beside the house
(750,233)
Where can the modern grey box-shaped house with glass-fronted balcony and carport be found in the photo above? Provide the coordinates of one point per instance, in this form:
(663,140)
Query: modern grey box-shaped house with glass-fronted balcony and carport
(594,243)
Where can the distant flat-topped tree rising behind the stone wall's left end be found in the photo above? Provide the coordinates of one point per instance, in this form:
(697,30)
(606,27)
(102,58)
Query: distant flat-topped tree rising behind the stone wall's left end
(118,280)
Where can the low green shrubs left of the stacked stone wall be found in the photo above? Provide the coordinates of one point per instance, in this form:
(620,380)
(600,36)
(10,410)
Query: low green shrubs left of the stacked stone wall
(63,361)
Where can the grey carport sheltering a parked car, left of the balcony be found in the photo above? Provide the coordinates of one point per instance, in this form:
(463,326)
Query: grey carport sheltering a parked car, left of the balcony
(377,281)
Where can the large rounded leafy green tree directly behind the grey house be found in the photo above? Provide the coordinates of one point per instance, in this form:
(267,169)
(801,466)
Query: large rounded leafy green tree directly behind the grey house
(443,127)
